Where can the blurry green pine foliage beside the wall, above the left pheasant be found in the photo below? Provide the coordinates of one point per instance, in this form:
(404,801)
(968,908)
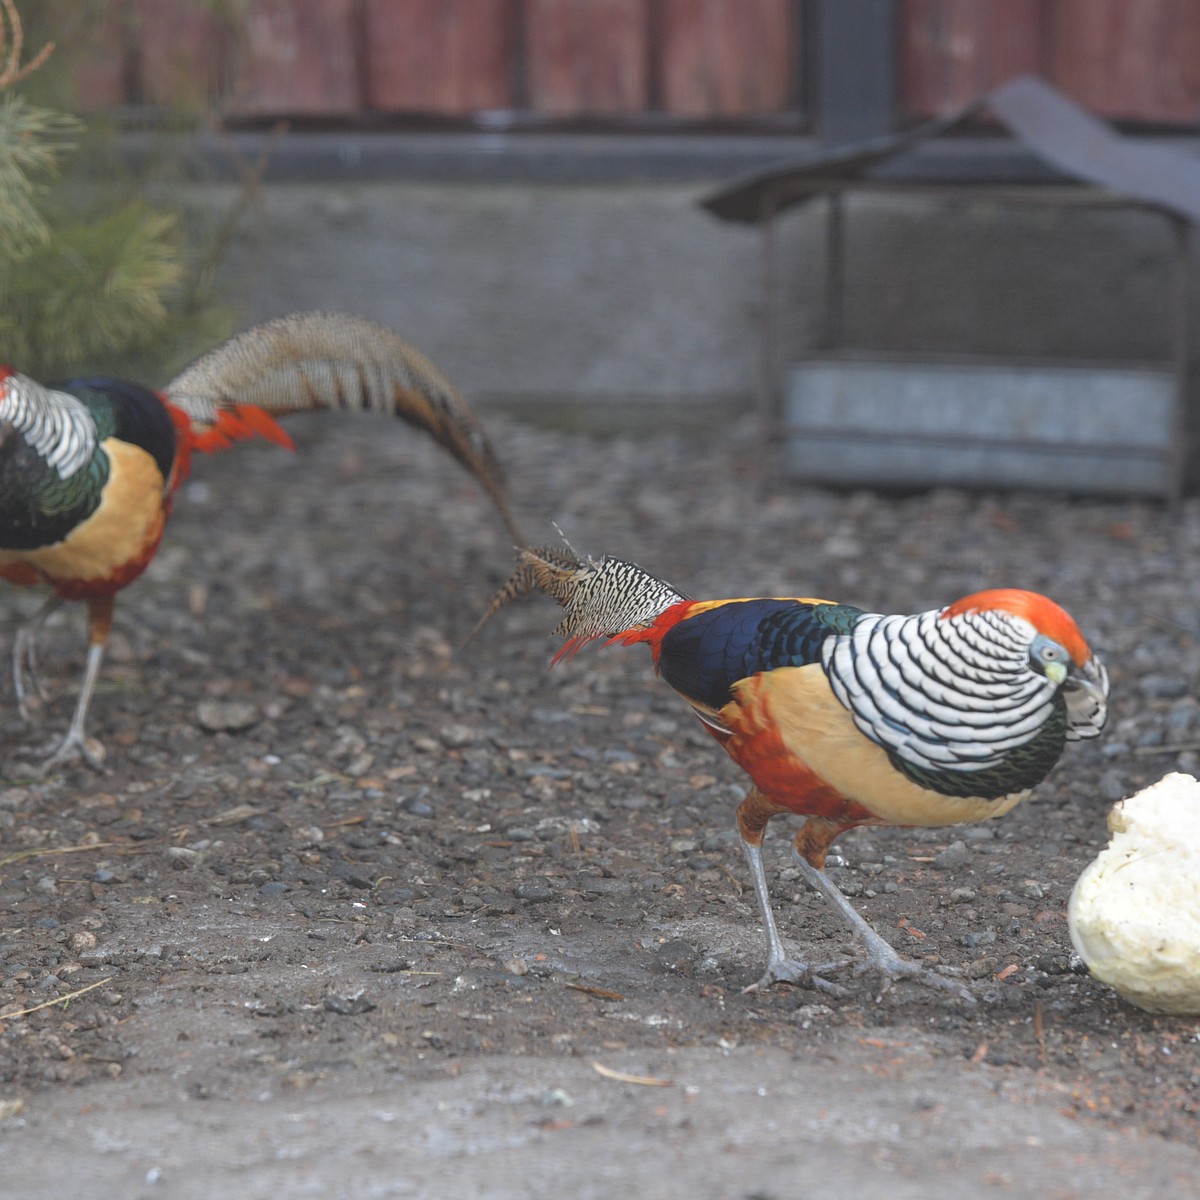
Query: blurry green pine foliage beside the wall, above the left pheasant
(93,277)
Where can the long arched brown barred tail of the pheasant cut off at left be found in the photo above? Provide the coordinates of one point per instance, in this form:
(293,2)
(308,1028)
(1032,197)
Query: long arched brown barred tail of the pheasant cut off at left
(317,361)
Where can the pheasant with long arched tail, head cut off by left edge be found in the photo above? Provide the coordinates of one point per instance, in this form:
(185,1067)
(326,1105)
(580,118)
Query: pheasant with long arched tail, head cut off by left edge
(89,469)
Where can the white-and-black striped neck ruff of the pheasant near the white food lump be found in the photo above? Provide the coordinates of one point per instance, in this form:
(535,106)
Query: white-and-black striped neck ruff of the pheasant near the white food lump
(945,695)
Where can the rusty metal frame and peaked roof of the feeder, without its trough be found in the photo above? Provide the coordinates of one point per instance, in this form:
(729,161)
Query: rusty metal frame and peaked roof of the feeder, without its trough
(1083,163)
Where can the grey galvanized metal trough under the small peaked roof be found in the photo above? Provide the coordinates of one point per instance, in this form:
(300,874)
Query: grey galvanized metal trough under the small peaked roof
(889,423)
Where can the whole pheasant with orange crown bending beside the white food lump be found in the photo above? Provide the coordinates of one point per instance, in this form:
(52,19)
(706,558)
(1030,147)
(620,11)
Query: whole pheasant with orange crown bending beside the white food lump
(844,717)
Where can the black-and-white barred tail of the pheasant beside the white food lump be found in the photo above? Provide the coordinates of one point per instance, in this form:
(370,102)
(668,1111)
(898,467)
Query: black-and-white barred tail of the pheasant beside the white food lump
(602,599)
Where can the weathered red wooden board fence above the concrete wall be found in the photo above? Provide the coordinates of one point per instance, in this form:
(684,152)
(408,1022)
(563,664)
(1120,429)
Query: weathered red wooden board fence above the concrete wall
(617,62)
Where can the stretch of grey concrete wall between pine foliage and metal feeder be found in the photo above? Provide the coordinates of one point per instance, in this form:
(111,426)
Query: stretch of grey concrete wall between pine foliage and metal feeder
(549,291)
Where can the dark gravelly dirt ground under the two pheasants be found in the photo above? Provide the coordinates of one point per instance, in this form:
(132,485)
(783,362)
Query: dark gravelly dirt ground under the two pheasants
(363,914)
